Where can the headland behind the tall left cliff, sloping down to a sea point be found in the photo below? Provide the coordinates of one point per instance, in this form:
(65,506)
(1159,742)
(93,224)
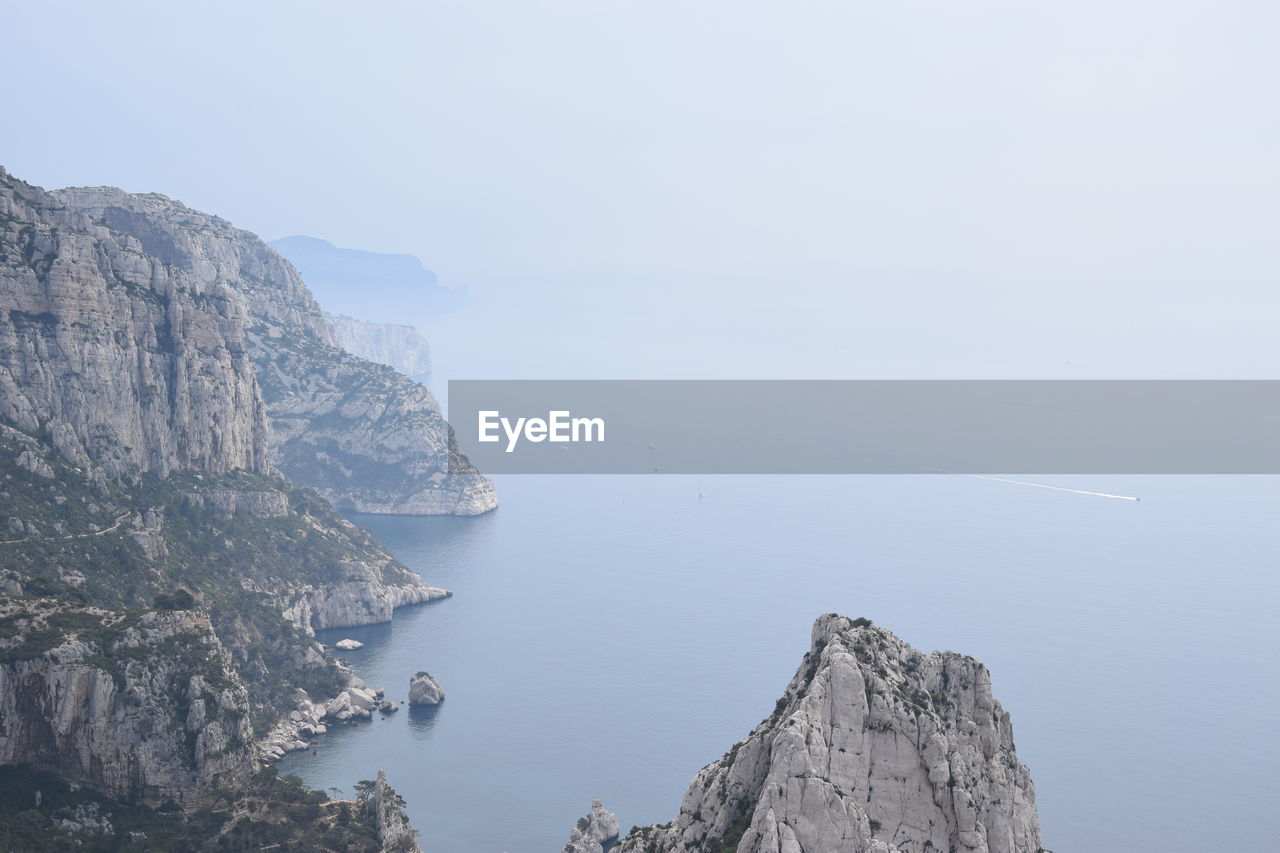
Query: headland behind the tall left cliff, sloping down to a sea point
(364,436)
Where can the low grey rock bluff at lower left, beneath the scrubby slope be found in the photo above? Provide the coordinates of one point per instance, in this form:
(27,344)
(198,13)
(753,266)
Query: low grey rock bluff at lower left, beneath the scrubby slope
(143,708)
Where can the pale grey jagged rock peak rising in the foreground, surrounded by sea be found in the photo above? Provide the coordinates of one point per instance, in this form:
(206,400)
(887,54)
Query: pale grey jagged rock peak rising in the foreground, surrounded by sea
(874,749)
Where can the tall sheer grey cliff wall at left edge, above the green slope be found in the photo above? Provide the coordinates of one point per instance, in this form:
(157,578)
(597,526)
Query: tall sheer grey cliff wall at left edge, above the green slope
(121,358)
